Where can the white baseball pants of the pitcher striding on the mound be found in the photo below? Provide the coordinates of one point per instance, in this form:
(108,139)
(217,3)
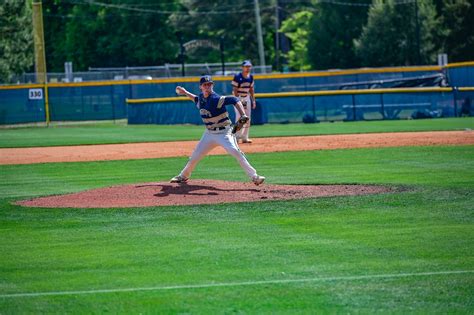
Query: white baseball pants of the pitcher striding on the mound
(212,139)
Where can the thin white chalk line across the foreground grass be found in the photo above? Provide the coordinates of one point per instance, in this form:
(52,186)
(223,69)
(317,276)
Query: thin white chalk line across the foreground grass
(238,284)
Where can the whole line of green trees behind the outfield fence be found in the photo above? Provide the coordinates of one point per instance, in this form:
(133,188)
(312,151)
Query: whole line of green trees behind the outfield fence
(297,34)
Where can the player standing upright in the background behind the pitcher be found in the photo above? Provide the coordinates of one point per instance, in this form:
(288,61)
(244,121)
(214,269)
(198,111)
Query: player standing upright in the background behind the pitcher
(243,87)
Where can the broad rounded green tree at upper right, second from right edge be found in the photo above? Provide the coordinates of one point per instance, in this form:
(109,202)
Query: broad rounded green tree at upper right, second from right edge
(391,35)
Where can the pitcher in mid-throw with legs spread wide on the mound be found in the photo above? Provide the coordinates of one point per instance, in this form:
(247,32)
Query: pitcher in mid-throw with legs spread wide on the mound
(218,130)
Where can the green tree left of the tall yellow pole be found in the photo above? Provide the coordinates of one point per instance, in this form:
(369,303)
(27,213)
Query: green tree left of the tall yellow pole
(16,42)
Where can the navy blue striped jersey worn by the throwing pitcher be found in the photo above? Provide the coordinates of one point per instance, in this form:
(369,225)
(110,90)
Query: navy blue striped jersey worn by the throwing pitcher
(213,111)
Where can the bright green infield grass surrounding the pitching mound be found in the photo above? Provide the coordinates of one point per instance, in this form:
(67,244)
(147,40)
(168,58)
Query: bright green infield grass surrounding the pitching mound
(426,228)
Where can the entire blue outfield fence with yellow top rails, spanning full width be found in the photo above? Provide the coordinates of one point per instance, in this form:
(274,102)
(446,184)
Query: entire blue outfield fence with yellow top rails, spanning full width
(315,95)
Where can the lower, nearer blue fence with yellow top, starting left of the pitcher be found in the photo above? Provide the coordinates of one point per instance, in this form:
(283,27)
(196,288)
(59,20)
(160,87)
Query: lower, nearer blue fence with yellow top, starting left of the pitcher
(347,105)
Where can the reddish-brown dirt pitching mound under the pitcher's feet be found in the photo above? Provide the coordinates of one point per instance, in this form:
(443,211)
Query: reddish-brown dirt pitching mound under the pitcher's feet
(193,193)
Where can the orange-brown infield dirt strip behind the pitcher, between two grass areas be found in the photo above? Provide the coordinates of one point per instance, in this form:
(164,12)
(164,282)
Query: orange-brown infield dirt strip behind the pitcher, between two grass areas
(149,150)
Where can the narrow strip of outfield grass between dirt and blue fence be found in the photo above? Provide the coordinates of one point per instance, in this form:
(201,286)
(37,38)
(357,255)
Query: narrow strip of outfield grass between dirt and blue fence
(110,133)
